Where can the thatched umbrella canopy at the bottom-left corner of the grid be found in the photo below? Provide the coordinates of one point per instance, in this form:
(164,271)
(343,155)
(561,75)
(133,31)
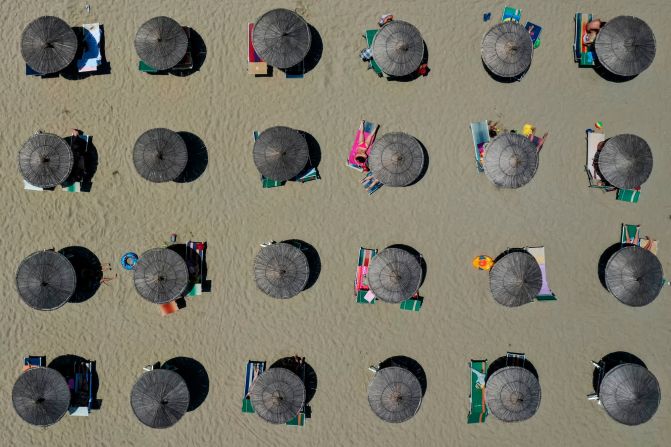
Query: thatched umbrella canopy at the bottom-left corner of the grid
(41,396)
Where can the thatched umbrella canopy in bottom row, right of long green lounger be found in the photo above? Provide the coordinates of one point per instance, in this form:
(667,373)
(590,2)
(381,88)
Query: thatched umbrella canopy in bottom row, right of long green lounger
(513,394)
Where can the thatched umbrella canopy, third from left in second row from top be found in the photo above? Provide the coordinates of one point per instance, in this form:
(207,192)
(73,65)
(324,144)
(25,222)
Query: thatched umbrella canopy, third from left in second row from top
(280,153)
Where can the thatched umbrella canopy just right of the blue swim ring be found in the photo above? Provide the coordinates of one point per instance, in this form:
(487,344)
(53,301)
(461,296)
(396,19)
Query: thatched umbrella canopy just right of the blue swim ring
(161,275)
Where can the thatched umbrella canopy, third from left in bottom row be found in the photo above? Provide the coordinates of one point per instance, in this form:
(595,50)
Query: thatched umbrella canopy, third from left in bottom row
(277,395)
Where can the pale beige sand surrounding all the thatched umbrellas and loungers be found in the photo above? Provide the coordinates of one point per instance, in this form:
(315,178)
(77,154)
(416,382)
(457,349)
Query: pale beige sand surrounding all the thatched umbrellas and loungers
(451,215)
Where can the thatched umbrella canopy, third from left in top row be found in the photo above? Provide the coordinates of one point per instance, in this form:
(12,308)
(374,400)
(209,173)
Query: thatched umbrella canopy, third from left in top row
(281,38)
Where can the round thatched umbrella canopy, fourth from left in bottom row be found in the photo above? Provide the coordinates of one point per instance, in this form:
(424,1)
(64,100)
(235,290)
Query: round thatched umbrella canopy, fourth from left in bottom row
(394,394)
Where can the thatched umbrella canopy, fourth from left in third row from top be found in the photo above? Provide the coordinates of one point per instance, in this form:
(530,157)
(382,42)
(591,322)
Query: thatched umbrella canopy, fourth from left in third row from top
(394,275)
